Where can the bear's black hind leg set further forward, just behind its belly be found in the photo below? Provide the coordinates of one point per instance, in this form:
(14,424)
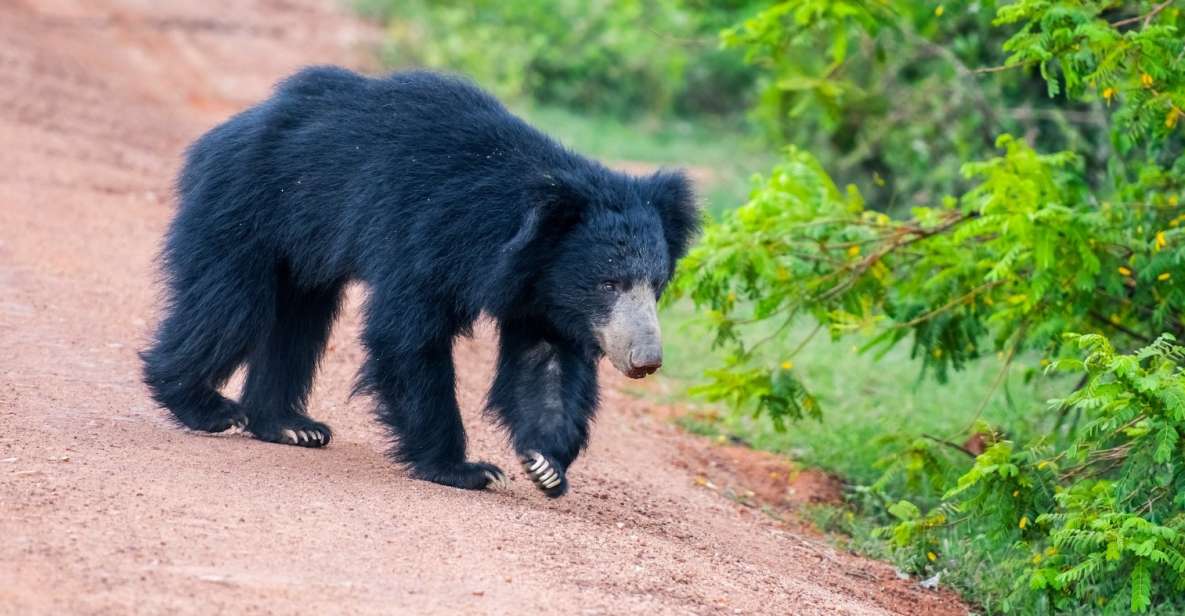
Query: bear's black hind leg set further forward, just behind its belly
(281,370)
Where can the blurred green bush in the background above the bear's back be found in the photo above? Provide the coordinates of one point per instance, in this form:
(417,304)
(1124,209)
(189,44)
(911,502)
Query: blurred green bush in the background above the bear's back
(611,57)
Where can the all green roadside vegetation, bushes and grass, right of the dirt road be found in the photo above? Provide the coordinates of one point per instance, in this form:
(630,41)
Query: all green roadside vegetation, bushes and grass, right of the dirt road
(944,258)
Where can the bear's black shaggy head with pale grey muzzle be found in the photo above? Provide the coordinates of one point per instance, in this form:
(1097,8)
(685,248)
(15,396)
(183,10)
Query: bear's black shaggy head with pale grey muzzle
(600,248)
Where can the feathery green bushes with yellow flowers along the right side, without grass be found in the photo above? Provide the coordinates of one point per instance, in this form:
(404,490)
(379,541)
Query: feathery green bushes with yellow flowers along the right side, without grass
(979,245)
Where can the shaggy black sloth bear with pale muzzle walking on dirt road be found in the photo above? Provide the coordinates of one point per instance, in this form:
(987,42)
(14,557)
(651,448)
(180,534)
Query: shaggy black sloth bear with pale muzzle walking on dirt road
(445,206)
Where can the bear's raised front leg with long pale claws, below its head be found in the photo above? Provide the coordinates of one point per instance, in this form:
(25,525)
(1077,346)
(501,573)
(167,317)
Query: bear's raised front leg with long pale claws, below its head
(546,395)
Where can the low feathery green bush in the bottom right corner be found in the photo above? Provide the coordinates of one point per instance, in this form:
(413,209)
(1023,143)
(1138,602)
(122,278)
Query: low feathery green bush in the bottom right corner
(1100,522)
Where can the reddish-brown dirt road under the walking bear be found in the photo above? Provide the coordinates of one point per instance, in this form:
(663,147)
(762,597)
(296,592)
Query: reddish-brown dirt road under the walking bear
(107,509)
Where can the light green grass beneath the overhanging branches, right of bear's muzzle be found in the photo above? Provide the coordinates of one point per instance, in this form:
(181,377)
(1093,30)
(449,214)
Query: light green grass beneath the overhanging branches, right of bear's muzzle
(867,402)
